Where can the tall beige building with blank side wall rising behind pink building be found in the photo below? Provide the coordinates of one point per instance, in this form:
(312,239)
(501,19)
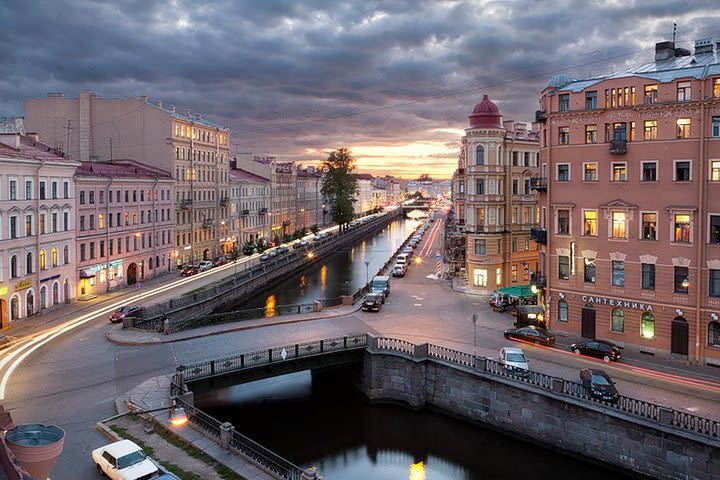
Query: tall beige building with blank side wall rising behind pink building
(195,150)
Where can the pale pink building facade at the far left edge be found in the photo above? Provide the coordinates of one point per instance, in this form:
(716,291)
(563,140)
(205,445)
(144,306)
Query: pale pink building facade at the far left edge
(37,227)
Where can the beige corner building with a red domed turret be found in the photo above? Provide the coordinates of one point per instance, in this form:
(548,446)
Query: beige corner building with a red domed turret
(496,207)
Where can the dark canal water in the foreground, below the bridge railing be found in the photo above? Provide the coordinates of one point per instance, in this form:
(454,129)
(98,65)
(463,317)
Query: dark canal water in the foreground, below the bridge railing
(323,420)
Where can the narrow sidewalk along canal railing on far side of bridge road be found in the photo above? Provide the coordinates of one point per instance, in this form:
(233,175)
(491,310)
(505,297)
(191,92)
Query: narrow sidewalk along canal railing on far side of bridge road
(129,336)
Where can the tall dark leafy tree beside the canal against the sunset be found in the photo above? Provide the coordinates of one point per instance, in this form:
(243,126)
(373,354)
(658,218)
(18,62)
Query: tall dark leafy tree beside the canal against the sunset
(340,185)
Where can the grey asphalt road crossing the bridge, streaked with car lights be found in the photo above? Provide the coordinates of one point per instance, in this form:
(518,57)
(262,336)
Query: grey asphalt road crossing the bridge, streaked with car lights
(73,380)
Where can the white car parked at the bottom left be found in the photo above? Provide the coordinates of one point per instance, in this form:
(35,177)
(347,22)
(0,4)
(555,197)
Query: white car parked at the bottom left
(124,460)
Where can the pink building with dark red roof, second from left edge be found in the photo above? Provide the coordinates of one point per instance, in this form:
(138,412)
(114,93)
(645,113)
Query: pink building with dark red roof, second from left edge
(125,225)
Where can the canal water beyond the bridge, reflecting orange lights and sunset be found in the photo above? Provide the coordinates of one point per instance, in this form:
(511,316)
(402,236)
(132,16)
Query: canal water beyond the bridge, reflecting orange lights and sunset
(341,273)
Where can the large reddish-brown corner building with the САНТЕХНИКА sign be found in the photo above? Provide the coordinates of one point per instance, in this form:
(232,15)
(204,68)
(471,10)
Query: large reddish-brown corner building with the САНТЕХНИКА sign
(630,183)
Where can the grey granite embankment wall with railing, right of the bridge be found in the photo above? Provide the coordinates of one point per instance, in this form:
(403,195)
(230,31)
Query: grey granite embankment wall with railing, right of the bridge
(648,439)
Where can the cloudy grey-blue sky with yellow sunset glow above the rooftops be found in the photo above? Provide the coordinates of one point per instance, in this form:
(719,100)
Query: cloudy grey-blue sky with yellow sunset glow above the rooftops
(394,80)
